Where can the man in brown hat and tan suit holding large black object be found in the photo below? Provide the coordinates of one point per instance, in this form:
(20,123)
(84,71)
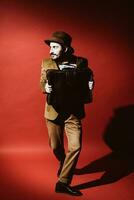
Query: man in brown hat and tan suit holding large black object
(63,63)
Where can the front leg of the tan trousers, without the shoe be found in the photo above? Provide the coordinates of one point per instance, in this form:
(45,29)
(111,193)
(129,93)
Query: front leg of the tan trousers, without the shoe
(73,130)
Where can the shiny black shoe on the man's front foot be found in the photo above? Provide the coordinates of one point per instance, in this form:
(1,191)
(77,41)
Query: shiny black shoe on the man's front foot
(64,188)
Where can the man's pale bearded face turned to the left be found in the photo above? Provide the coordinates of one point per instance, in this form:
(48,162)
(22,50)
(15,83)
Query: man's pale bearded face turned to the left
(55,50)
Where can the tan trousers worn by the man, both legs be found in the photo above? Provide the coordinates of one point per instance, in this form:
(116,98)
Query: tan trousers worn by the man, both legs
(73,132)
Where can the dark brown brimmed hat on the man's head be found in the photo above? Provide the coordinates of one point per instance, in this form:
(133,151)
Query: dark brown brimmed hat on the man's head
(60,37)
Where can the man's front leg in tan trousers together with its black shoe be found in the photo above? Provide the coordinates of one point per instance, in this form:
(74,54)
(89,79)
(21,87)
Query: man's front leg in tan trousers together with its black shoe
(73,132)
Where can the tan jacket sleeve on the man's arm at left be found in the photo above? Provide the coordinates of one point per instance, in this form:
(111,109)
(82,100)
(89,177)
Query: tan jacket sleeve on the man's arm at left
(43,79)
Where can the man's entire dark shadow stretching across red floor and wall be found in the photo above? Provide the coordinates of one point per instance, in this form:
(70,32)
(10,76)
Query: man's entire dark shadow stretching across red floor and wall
(119,136)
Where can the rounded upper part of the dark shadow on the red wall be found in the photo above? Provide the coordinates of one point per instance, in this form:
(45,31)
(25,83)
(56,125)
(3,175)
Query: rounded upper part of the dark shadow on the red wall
(118,134)
